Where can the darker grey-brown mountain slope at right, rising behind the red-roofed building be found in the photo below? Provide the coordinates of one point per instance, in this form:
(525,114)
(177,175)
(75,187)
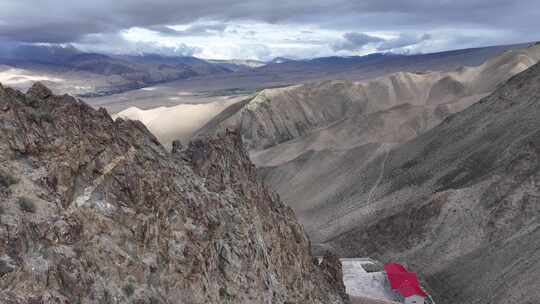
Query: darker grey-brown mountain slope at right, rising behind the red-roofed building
(460,203)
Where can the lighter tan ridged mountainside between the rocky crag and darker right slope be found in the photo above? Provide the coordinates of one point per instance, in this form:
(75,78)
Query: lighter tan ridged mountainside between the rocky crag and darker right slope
(310,141)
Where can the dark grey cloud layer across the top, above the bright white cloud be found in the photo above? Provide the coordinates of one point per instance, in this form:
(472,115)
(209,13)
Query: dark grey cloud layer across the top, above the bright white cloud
(69,21)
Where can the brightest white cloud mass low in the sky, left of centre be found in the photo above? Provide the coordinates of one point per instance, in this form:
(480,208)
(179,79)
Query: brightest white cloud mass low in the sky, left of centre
(231,40)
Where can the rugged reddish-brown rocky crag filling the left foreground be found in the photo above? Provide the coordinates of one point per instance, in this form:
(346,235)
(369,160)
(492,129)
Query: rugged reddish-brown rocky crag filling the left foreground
(96,211)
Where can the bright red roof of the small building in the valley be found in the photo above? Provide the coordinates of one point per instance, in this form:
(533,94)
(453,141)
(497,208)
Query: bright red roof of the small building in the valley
(405,283)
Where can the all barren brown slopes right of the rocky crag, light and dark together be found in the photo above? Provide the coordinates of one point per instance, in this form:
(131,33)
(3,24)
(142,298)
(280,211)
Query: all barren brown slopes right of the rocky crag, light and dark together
(446,181)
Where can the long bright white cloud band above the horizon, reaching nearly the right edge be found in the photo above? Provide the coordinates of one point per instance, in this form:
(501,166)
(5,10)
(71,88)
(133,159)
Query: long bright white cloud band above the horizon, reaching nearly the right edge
(248,39)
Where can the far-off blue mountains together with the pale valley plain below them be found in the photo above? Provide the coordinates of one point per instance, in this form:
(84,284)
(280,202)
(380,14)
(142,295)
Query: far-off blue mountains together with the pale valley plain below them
(119,82)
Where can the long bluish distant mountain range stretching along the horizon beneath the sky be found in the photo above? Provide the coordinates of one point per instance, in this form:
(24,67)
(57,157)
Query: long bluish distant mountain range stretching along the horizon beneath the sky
(91,74)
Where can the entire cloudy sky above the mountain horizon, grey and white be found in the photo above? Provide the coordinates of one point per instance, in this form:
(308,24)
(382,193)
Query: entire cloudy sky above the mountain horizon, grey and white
(265,29)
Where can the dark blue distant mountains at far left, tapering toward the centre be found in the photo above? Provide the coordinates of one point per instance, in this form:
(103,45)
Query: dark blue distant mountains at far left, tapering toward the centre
(134,71)
